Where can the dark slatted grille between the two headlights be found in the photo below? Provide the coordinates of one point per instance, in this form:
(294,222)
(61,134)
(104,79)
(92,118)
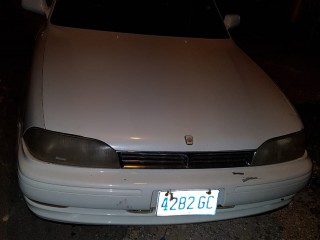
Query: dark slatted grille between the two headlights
(181,160)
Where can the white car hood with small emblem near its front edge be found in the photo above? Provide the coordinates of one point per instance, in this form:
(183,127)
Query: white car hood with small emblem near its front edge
(146,93)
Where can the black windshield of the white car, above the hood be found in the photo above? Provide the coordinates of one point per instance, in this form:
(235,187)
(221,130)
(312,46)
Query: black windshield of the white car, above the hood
(181,18)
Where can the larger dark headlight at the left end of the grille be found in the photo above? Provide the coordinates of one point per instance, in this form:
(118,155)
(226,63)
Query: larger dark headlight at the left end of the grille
(65,149)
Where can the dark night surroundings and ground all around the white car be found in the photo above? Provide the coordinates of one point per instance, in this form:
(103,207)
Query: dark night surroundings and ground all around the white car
(283,37)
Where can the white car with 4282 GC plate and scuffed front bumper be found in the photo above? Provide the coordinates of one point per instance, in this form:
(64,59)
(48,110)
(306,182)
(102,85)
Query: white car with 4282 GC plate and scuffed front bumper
(146,112)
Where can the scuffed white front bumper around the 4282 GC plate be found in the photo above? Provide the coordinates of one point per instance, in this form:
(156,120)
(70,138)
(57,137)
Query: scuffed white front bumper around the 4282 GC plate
(126,196)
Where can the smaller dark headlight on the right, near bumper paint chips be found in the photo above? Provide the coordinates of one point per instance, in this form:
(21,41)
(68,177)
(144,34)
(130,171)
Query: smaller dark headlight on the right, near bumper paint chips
(280,149)
